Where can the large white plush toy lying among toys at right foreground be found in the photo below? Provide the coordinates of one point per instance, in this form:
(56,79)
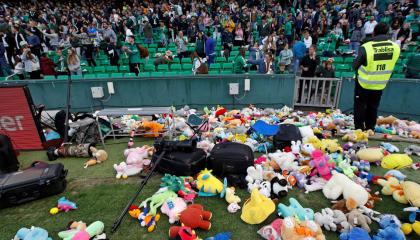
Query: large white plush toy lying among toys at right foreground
(341,184)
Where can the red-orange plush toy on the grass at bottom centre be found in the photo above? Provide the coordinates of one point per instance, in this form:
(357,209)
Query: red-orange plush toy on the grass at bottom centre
(195,217)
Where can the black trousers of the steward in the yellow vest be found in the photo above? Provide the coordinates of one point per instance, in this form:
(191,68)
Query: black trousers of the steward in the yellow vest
(366,103)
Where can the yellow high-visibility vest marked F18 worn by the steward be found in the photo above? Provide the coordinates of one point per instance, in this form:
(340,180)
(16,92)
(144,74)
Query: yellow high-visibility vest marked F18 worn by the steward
(381,59)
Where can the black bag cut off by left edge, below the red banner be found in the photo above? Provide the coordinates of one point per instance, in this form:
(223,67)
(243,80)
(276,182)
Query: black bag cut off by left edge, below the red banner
(8,160)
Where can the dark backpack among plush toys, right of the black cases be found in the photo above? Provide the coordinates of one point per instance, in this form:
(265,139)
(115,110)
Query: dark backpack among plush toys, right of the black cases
(286,134)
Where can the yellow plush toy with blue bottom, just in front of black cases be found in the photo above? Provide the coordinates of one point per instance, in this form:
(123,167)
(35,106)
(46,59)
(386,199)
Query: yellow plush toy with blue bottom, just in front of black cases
(208,184)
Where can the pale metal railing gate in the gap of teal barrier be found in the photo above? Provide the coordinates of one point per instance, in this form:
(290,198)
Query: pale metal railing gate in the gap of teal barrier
(317,92)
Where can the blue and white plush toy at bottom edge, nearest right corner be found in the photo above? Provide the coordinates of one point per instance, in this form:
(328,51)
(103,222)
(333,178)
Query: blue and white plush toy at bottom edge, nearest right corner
(390,229)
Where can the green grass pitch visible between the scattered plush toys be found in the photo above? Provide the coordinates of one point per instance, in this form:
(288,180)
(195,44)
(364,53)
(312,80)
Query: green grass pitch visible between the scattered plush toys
(100,196)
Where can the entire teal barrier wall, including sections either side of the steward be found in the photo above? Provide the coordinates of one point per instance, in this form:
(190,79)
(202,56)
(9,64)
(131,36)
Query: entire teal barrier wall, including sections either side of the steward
(401,97)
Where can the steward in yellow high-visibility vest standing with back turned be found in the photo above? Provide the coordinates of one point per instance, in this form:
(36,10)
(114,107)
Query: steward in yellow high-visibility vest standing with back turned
(373,65)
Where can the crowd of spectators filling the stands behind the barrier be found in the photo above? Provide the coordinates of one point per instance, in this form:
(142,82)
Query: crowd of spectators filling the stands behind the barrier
(280,36)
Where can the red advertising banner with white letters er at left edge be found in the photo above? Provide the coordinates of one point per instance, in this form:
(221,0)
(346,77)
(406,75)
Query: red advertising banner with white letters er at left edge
(17,120)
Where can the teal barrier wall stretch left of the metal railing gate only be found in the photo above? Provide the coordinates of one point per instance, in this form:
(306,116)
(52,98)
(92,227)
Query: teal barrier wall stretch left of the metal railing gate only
(195,91)
